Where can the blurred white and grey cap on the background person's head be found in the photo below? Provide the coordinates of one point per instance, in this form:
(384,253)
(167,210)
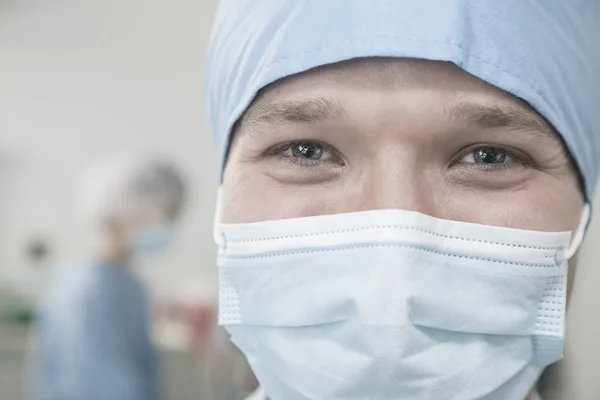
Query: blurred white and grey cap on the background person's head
(117,189)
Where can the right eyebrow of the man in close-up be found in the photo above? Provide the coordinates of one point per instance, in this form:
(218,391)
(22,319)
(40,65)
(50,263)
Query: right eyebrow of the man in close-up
(503,117)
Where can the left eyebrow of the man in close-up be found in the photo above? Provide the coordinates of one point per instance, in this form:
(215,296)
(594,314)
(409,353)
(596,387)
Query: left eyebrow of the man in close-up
(313,110)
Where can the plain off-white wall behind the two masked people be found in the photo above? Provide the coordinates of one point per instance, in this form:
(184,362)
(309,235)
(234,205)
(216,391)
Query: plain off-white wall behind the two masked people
(81,78)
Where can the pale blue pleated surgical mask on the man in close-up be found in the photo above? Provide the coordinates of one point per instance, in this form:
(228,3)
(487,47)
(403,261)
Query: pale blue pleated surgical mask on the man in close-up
(391,304)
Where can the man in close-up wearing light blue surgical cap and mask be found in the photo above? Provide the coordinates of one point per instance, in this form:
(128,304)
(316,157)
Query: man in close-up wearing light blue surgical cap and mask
(405,185)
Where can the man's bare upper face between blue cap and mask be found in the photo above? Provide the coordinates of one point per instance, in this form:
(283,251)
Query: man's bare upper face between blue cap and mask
(398,134)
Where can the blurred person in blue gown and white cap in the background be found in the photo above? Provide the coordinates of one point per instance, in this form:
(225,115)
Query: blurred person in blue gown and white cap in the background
(93,333)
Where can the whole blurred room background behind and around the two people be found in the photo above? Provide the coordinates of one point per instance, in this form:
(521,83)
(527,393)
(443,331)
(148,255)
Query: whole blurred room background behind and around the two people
(81,79)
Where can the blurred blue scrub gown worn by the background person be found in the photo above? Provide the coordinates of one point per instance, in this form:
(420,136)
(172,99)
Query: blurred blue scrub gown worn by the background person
(93,338)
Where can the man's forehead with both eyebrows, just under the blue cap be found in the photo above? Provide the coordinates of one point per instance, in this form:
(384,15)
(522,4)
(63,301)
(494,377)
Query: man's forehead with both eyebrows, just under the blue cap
(362,88)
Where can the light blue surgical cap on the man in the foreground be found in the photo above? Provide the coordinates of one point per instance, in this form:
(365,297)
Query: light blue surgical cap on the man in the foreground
(546,52)
